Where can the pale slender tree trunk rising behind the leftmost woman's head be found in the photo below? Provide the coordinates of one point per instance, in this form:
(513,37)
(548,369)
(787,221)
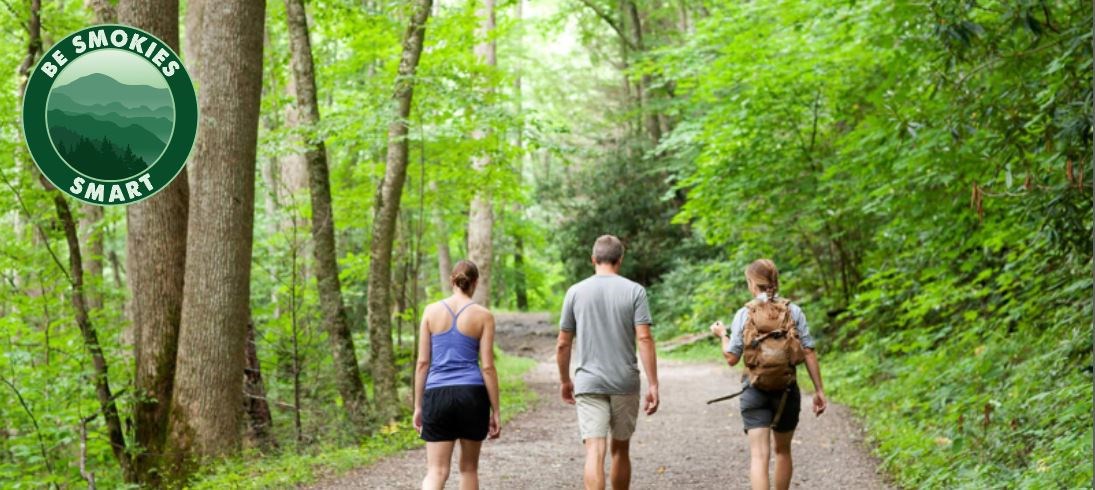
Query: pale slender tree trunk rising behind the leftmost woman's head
(481,216)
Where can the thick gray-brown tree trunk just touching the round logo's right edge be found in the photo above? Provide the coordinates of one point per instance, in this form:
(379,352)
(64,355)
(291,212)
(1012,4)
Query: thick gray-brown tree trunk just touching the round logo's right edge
(205,412)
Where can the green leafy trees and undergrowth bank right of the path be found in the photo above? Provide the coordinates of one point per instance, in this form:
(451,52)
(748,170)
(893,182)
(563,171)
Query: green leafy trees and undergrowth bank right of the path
(917,172)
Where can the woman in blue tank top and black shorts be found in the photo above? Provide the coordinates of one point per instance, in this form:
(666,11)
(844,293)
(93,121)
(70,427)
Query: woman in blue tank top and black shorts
(456,384)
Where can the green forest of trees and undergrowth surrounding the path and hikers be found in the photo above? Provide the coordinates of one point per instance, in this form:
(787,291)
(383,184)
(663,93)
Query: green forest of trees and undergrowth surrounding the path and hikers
(921,173)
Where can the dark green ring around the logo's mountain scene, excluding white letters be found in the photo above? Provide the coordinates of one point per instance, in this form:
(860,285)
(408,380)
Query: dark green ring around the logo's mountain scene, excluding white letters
(163,173)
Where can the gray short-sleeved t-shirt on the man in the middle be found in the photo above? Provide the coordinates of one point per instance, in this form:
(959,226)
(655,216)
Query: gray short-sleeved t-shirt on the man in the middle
(603,312)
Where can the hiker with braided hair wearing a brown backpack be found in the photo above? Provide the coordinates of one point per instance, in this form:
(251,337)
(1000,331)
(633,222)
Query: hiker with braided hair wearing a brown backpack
(771,335)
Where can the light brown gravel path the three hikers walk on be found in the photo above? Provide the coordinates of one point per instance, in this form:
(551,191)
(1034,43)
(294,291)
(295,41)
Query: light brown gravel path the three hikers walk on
(687,445)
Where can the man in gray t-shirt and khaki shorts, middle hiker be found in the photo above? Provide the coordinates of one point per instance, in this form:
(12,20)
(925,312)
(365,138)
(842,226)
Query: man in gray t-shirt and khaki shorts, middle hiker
(607,315)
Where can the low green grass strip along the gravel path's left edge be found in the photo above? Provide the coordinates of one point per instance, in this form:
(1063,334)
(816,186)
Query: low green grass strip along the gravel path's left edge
(290,470)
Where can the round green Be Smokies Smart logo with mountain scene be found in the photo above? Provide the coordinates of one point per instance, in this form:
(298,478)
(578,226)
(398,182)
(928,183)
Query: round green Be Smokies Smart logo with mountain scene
(110,116)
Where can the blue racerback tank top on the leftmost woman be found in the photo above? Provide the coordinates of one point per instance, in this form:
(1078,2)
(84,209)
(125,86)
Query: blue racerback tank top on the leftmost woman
(454,358)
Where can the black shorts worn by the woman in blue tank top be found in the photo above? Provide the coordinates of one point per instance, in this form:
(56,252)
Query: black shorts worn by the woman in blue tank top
(453,413)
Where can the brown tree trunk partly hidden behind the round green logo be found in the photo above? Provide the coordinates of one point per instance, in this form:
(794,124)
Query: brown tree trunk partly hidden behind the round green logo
(156,259)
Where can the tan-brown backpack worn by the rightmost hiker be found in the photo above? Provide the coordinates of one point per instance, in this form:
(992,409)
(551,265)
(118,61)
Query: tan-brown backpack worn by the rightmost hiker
(773,349)
